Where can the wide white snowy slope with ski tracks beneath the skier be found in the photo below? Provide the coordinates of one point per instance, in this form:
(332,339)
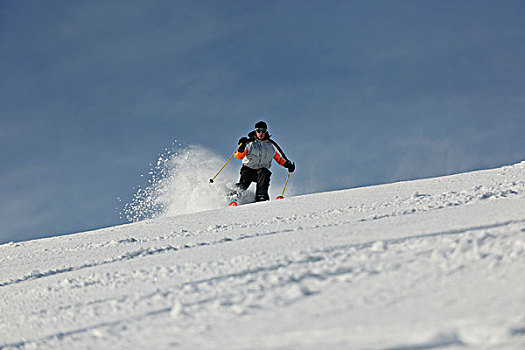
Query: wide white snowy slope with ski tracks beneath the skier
(434,263)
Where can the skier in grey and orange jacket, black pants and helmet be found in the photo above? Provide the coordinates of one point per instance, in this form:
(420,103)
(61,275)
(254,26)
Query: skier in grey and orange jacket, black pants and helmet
(256,152)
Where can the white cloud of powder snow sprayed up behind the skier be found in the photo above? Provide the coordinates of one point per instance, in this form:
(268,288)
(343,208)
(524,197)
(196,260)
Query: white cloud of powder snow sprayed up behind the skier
(179,184)
